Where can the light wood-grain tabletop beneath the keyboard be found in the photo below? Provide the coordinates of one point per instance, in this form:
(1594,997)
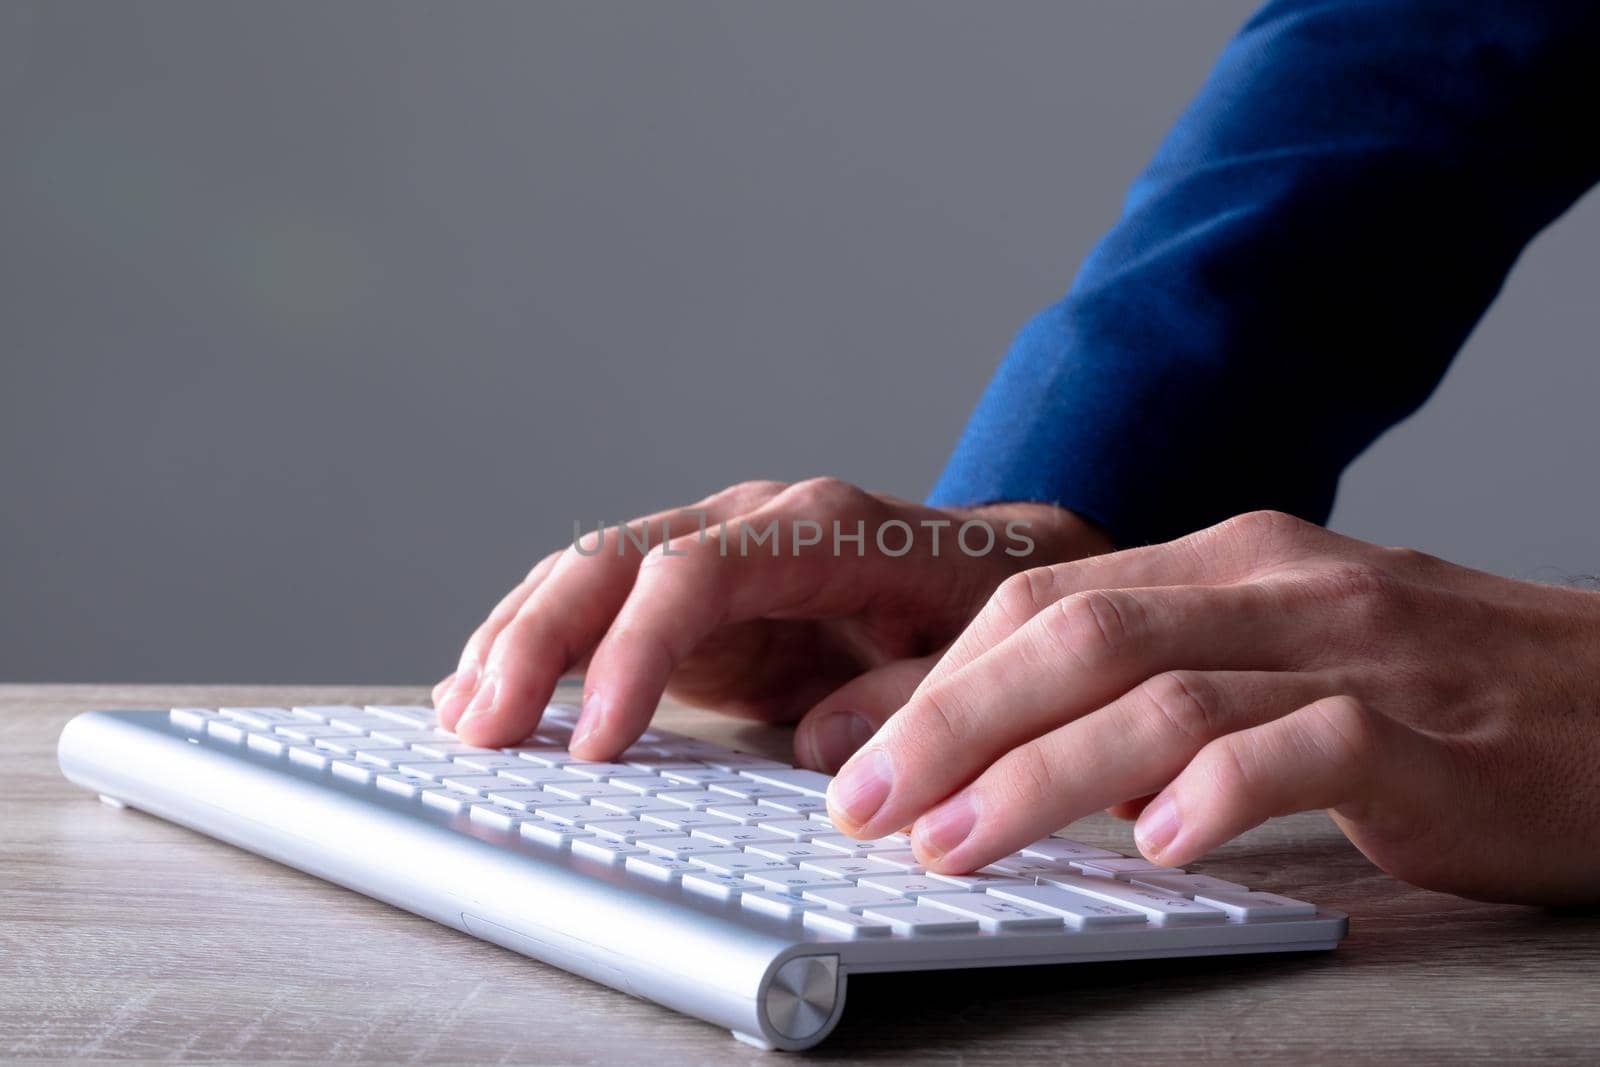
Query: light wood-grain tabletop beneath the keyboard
(129,938)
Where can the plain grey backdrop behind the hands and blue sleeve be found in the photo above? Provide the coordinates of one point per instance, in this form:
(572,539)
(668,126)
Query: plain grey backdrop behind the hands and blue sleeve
(321,322)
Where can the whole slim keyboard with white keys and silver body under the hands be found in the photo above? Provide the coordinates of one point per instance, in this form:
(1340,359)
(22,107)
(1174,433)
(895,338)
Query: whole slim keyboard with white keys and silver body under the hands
(647,871)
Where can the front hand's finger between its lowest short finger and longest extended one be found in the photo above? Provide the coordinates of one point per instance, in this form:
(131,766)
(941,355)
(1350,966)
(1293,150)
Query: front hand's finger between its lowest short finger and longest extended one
(1132,748)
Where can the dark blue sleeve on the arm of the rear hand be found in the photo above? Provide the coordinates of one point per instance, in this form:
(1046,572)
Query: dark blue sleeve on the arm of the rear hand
(1297,268)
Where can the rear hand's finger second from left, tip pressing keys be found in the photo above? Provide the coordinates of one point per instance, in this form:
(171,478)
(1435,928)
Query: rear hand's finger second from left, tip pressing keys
(564,615)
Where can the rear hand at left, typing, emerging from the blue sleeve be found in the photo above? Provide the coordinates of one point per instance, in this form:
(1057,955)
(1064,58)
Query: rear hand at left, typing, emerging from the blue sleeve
(834,636)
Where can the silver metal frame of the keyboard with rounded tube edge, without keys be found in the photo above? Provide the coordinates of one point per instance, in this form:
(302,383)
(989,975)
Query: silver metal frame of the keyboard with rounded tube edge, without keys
(770,981)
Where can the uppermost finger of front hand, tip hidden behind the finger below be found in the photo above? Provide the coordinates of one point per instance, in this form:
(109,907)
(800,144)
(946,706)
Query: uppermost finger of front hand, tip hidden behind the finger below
(1223,554)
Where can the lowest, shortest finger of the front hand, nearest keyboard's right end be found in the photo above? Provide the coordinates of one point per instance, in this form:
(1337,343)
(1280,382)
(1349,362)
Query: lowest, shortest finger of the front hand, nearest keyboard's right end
(1324,756)
